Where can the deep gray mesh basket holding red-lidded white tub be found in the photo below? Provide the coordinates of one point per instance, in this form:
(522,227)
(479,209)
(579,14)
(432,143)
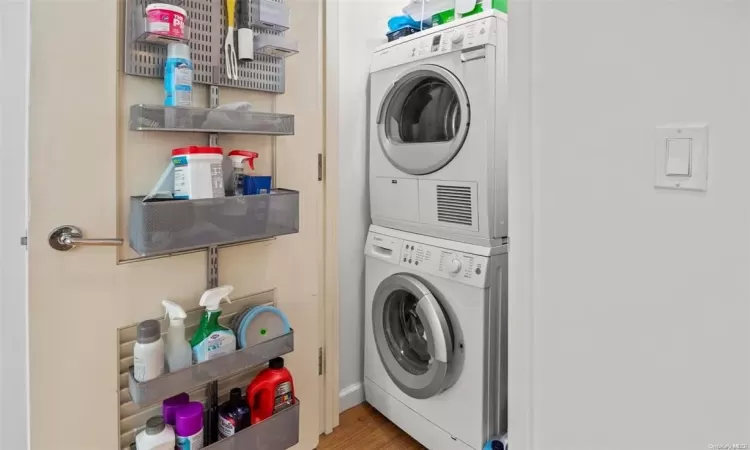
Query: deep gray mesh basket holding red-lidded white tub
(174,226)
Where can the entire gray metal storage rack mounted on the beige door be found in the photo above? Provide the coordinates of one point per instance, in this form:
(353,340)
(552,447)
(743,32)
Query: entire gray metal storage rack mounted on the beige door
(158,228)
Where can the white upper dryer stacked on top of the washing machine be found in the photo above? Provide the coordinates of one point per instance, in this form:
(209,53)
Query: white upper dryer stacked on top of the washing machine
(438,131)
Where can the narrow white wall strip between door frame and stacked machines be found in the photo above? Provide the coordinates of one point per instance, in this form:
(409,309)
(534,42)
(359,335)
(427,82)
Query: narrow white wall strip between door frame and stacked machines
(361,26)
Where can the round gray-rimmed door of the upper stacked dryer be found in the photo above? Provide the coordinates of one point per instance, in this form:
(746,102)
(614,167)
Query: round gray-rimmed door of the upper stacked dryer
(423,120)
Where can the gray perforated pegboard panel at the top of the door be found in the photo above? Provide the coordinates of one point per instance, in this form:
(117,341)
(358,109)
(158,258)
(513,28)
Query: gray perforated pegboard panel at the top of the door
(207,31)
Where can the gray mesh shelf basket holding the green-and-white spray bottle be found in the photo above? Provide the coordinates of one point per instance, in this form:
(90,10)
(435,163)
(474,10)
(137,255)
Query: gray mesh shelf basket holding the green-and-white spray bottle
(193,377)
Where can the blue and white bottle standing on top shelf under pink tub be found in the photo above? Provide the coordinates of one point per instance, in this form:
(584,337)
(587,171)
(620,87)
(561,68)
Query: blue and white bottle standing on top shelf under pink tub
(178,76)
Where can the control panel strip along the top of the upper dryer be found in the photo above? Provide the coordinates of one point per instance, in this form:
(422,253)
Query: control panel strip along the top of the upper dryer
(434,42)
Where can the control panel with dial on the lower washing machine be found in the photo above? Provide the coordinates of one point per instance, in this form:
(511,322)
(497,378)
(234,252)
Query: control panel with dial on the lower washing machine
(445,263)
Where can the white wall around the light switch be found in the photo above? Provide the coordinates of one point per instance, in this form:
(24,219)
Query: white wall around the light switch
(641,297)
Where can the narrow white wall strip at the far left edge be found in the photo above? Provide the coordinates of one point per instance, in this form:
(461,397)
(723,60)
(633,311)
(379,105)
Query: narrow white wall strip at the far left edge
(14,60)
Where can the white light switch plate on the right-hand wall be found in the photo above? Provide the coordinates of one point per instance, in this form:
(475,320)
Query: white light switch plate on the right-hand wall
(697,180)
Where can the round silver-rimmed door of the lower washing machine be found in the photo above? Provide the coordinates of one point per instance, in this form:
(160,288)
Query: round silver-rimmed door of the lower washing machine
(412,335)
